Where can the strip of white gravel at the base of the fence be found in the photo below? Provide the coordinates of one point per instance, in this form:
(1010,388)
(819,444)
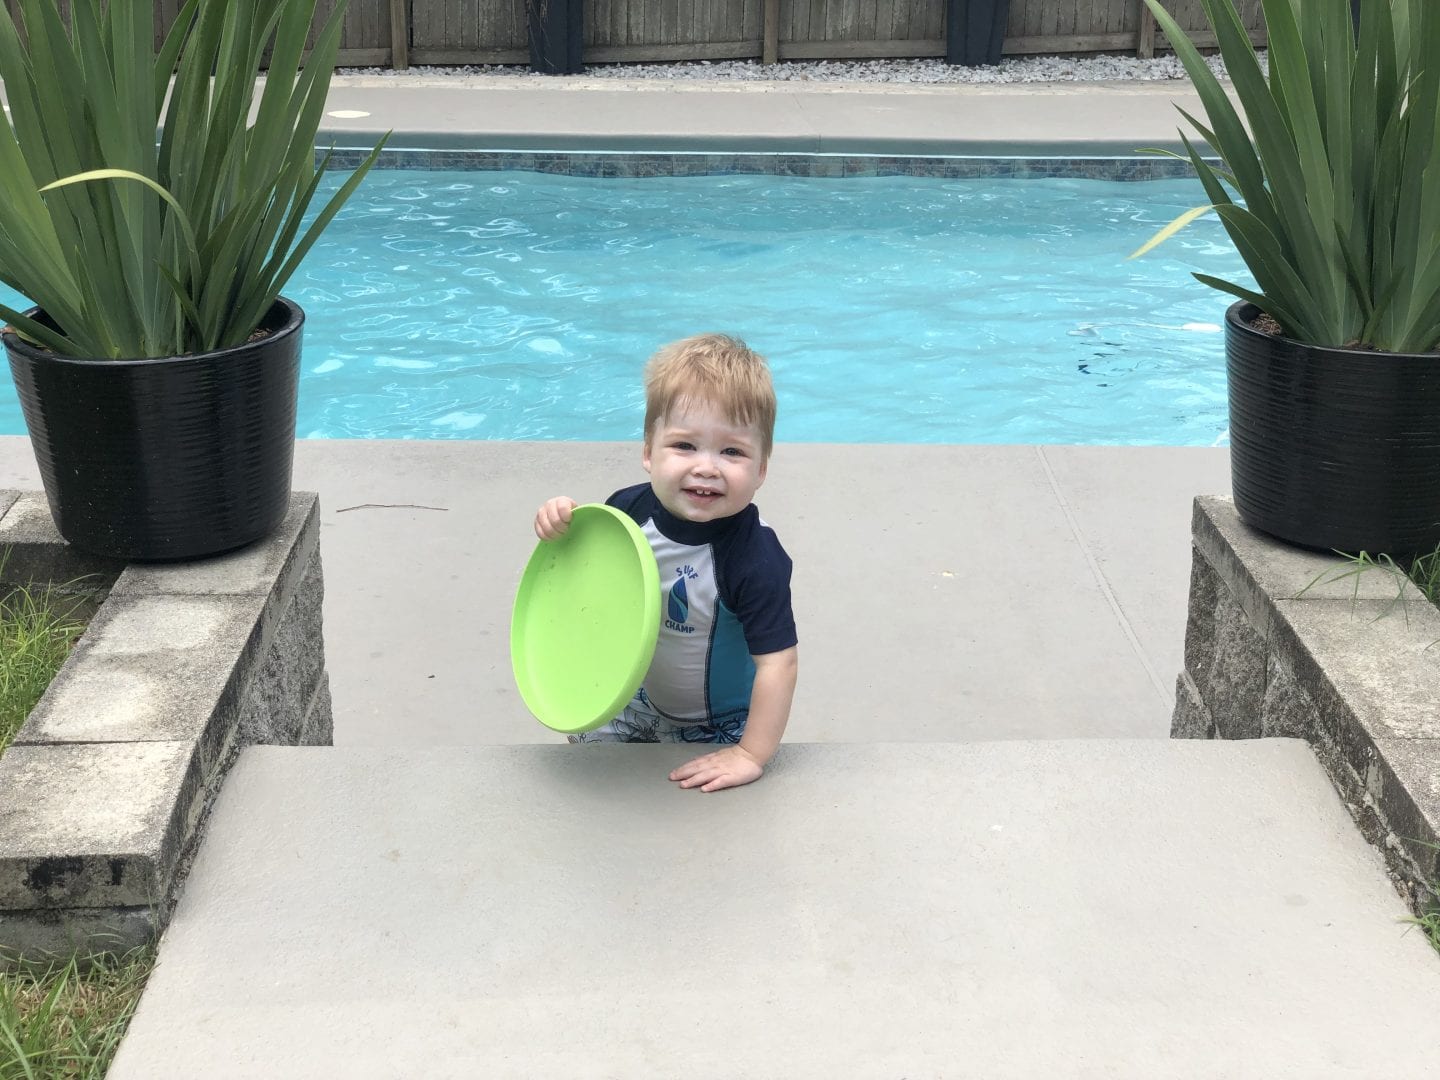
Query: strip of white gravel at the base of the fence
(1014,70)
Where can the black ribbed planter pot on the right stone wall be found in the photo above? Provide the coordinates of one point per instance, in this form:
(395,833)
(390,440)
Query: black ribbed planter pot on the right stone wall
(1334,449)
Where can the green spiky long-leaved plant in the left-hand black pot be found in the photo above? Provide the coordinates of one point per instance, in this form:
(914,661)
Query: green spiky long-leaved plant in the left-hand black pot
(143,247)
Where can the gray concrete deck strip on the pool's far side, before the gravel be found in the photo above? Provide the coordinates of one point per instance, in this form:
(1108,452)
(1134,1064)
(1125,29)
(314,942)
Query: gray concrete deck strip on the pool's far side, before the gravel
(760,117)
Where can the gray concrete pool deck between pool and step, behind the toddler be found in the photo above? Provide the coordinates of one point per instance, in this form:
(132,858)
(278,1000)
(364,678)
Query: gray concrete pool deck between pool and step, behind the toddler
(942,593)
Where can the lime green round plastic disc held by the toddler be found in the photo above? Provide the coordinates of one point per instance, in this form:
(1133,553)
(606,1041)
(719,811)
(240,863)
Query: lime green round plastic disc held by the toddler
(587,620)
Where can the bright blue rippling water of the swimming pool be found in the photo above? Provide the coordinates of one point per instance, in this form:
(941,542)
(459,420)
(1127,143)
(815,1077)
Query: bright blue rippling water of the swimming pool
(518,306)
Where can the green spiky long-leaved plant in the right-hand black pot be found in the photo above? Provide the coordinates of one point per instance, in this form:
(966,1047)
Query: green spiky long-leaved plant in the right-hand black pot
(1338,176)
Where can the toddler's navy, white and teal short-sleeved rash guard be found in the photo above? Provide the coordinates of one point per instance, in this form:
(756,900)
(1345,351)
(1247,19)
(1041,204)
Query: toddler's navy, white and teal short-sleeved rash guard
(726,597)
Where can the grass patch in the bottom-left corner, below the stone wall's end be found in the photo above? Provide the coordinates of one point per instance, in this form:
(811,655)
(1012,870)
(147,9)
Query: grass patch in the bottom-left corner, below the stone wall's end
(66,1022)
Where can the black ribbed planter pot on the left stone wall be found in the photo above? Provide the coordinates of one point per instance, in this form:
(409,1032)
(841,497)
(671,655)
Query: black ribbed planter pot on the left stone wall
(169,459)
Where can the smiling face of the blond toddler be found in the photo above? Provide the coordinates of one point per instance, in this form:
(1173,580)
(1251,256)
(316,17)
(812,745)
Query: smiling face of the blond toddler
(702,466)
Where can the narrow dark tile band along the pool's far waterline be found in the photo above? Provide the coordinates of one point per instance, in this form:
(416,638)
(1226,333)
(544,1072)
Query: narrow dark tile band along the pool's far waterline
(647,165)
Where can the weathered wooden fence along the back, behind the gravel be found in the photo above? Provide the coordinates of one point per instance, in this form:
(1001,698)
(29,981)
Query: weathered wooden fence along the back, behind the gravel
(449,32)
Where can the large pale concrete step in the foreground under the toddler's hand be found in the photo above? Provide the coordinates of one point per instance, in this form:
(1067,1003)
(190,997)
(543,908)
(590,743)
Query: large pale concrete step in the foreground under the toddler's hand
(1079,909)
